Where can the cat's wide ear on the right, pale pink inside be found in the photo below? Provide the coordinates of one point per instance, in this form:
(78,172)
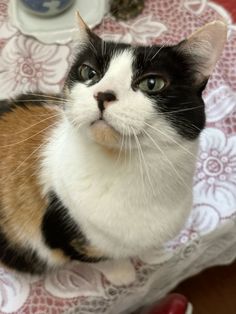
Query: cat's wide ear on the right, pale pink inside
(204,48)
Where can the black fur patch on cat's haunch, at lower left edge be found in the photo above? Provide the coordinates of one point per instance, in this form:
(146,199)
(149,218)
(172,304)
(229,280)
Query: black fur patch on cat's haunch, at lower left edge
(19,258)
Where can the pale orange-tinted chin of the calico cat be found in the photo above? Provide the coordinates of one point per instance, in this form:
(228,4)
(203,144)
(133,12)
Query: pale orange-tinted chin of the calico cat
(104,134)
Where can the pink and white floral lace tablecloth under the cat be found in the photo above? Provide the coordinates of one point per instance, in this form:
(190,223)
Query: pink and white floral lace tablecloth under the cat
(209,235)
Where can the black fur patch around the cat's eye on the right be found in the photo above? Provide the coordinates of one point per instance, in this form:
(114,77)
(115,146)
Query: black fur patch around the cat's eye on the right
(181,101)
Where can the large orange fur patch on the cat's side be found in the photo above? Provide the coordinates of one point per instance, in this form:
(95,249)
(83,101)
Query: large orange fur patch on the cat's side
(22,135)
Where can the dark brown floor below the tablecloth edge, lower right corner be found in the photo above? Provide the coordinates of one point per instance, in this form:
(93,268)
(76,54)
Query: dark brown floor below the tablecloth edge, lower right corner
(213,291)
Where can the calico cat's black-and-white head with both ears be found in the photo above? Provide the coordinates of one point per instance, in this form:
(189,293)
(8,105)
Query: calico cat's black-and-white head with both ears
(144,94)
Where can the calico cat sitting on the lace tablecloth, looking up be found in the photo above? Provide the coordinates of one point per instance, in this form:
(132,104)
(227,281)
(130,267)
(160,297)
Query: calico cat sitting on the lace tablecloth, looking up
(105,169)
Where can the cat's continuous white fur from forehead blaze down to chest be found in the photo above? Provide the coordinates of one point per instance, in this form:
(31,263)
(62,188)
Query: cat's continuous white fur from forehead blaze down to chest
(123,208)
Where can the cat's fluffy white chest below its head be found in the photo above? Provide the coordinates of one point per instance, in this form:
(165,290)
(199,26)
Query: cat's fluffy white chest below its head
(114,207)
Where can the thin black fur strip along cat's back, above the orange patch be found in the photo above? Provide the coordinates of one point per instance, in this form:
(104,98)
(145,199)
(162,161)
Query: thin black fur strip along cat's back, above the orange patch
(25,101)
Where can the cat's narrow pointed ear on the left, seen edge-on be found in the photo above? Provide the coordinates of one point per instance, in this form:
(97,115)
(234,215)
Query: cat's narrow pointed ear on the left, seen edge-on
(82,33)
